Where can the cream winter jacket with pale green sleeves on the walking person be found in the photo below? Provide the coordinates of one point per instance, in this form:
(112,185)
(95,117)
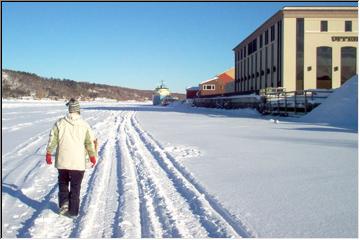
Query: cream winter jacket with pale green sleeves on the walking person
(73,139)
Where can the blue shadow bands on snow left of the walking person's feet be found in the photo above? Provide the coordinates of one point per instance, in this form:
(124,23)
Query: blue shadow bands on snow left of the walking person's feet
(38,206)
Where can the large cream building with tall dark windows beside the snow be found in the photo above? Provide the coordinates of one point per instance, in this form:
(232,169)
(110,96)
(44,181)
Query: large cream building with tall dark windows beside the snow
(299,48)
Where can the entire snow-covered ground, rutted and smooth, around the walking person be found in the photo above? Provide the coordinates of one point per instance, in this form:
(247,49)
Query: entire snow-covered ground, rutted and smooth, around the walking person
(186,172)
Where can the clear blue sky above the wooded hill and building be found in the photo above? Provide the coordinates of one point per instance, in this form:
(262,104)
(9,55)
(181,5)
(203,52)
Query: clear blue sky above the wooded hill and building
(131,45)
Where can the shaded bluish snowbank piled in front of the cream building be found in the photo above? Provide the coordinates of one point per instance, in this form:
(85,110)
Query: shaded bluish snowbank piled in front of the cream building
(340,109)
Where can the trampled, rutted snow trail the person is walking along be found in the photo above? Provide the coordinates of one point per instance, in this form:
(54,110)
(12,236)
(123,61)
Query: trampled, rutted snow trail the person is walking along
(136,189)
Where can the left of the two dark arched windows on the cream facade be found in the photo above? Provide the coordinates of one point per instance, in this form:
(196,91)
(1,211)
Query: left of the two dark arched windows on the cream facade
(324,67)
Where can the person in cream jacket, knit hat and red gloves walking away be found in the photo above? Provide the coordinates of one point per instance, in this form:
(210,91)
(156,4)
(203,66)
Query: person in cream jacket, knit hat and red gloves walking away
(72,138)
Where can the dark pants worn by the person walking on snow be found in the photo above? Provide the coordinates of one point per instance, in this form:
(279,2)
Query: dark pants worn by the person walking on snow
(73,196)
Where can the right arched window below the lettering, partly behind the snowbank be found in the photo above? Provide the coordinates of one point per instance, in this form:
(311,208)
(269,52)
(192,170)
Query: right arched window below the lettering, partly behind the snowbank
(348,63)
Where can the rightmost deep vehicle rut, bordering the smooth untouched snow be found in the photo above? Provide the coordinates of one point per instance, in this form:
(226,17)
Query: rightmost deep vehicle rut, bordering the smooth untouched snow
(215,219)
